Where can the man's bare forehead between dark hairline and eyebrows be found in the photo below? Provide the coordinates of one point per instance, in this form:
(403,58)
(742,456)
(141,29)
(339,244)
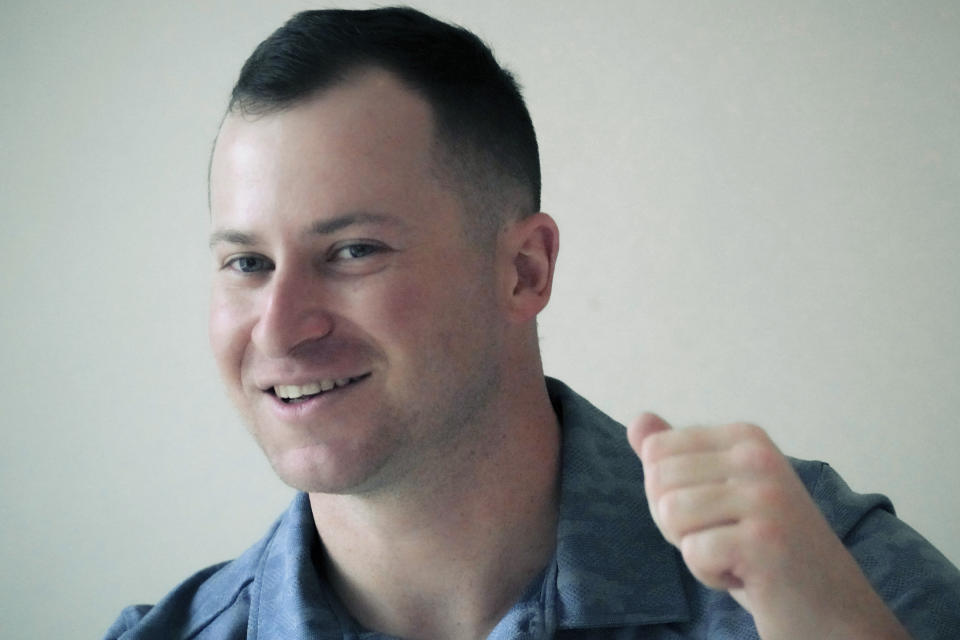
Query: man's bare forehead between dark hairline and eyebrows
(357,145)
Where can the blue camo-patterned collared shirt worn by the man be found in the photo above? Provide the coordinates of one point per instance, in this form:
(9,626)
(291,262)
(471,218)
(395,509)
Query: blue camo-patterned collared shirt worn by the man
(613,575)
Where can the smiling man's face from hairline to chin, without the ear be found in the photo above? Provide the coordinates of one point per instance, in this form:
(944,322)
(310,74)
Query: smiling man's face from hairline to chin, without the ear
(343,276)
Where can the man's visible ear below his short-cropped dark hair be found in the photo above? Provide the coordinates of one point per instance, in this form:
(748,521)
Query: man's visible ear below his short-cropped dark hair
(532,244)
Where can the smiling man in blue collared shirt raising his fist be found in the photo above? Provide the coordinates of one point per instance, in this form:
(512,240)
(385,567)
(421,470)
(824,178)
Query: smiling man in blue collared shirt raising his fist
(380,263)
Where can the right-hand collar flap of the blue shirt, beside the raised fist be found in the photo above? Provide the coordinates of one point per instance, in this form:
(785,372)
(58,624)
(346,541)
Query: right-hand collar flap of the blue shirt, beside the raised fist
(613,565)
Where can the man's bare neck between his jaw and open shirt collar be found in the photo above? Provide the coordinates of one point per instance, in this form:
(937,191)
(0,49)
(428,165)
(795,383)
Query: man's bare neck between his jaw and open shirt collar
(450,559)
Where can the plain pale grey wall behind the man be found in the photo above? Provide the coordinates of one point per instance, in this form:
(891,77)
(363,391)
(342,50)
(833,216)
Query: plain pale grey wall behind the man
(758,204)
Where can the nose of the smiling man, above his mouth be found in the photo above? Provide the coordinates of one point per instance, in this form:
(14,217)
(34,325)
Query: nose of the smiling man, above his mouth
(293,312)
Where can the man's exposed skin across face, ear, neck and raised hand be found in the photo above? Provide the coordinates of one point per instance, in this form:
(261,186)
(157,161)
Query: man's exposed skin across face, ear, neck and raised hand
(339,255)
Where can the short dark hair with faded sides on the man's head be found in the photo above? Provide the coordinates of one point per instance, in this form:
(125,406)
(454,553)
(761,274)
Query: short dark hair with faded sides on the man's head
(487,144)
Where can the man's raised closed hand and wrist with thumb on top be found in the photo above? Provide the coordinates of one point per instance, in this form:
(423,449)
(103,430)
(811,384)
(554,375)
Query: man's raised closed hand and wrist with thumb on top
(744,523)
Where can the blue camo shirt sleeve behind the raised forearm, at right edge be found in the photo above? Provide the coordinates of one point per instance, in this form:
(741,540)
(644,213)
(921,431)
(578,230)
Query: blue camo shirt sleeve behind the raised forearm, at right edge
(916,581)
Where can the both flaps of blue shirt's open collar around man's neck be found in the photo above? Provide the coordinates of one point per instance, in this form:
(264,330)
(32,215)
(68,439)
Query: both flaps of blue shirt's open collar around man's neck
(612,565)
